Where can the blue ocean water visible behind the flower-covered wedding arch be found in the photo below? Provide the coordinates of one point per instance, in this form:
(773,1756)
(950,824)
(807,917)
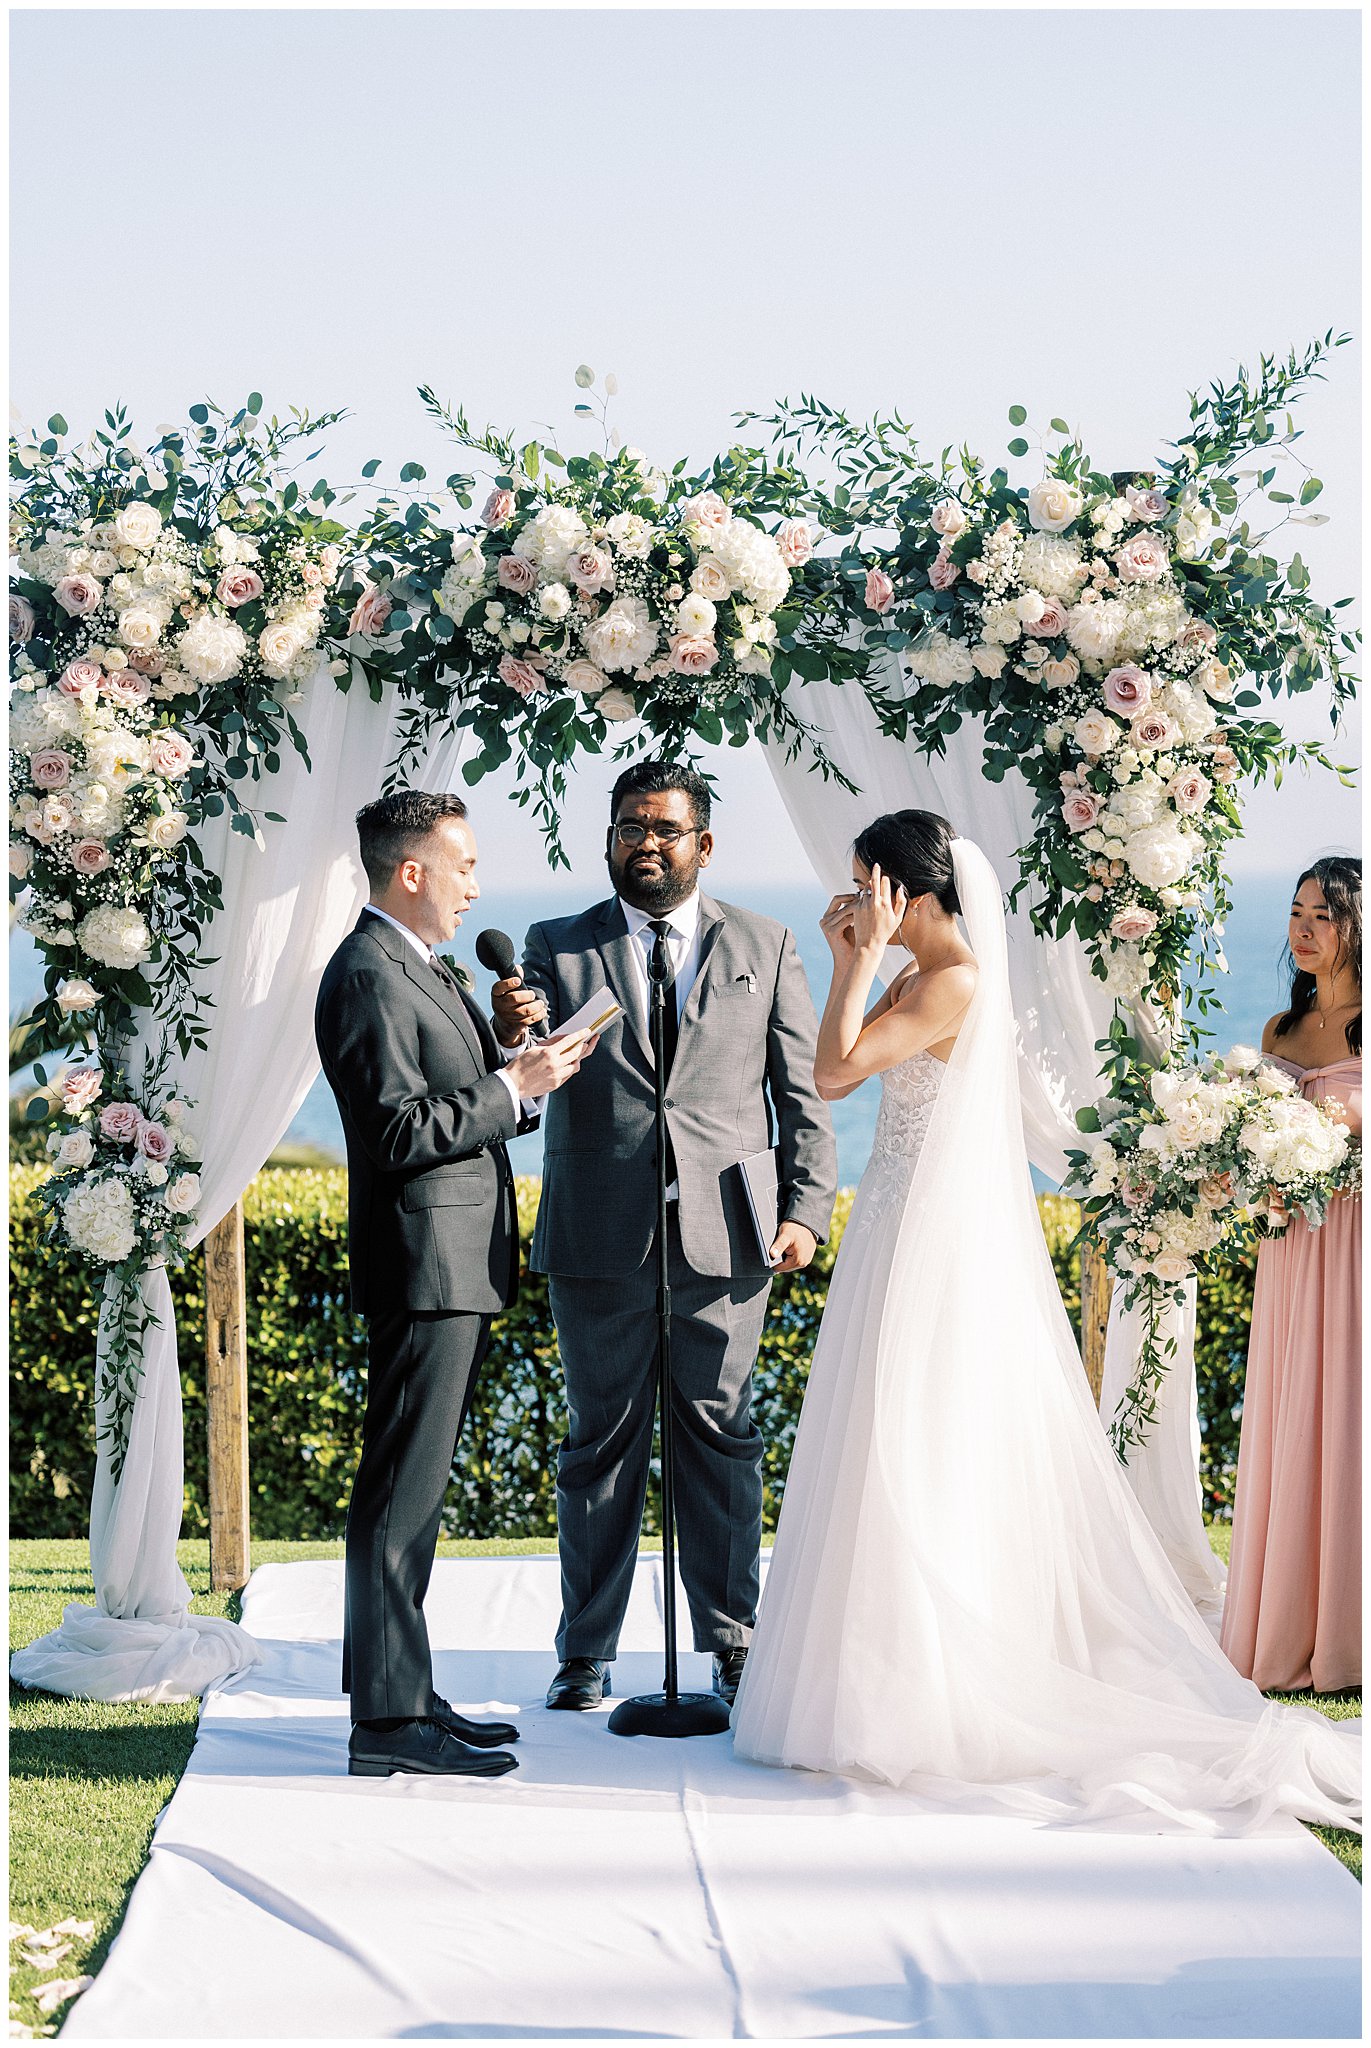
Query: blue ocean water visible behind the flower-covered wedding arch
(1253,990)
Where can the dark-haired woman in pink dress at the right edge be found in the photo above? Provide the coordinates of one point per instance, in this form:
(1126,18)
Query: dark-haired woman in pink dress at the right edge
(1292,1619)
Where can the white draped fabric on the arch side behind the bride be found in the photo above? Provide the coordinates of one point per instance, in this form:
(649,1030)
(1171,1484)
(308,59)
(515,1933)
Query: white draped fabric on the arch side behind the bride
(1058,1005)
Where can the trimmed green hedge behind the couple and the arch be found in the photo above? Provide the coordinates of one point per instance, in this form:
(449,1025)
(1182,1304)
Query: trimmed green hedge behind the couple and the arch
(306,1359)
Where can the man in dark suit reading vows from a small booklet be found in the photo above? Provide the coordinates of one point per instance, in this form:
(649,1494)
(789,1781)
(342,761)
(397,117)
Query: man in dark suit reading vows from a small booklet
(427,1103)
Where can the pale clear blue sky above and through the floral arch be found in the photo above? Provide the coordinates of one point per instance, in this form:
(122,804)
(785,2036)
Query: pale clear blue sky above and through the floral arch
(936,212)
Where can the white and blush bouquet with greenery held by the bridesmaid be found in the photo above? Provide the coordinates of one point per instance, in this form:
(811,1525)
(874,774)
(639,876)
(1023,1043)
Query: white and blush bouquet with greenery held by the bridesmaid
(1190,1162)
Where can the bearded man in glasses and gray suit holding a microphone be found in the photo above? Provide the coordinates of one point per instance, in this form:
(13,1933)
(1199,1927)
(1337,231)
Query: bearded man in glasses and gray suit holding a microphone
(741,1035)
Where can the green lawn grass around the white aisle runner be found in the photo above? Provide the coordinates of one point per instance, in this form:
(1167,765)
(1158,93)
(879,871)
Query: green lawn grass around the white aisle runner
(89,1783)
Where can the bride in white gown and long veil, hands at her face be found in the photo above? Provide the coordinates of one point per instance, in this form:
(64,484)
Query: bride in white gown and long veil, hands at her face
(964,1596)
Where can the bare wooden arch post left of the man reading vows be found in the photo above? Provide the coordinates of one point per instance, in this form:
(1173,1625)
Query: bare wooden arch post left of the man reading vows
(226,1402)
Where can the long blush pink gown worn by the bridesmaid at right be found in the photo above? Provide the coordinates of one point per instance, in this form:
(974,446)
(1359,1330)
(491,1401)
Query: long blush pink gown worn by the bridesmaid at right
(1292,1619)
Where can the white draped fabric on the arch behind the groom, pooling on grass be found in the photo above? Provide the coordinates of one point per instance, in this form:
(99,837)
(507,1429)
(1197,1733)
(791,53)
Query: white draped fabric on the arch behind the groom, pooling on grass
(286,906)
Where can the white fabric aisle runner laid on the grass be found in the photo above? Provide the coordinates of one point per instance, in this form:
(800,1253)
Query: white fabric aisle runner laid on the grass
(663,1889)
